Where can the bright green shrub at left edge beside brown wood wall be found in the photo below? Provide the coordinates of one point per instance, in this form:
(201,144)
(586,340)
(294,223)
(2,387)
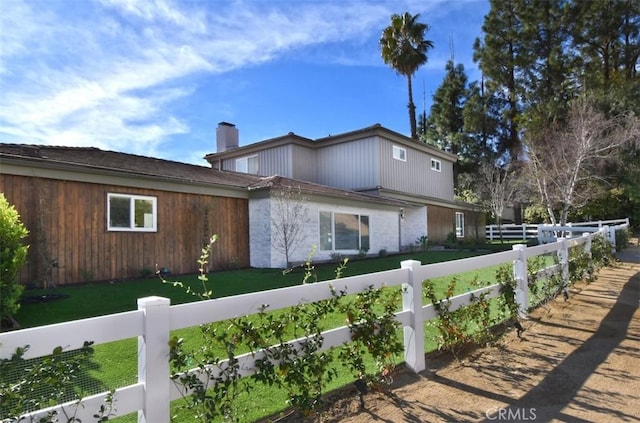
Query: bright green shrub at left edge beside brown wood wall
(13,255)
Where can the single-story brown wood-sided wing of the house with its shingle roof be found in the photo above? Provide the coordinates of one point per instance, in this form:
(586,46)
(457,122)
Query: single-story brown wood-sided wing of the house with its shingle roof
(97,215)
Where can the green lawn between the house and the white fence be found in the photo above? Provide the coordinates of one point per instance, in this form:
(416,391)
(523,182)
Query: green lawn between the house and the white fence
(114,364)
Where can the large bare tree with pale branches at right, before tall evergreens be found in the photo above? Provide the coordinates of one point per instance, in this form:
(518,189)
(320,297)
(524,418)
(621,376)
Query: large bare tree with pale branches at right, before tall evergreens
(564,160)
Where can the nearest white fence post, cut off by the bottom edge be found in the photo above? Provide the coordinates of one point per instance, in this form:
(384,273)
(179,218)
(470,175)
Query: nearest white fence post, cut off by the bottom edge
(153,360)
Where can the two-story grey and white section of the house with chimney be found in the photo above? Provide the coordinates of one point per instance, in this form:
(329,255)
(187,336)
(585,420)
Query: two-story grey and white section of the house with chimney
(400,190)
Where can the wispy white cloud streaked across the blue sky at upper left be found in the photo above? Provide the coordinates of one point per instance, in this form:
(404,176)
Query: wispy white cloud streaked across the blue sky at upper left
(104,72)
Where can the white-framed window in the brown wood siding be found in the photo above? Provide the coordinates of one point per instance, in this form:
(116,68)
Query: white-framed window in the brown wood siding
(131,213)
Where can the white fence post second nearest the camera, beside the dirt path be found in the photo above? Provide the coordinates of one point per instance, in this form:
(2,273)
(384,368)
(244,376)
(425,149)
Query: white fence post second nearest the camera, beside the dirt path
(414,349)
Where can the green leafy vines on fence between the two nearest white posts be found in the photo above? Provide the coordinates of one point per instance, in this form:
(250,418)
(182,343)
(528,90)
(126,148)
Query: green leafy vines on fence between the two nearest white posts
(302,369)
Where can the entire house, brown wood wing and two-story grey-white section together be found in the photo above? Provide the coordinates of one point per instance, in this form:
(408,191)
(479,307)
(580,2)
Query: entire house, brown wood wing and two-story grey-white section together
(104,215)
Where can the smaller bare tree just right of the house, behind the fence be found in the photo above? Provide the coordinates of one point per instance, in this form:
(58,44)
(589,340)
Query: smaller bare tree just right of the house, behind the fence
(498,186)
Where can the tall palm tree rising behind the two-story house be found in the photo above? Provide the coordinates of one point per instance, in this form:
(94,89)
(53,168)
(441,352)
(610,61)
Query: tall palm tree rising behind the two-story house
(404,48)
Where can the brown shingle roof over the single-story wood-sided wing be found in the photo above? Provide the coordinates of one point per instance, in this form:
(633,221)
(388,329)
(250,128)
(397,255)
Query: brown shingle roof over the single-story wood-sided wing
(112,161)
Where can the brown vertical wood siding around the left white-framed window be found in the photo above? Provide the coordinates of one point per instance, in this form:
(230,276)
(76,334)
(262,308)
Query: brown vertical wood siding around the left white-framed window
(67,227)
